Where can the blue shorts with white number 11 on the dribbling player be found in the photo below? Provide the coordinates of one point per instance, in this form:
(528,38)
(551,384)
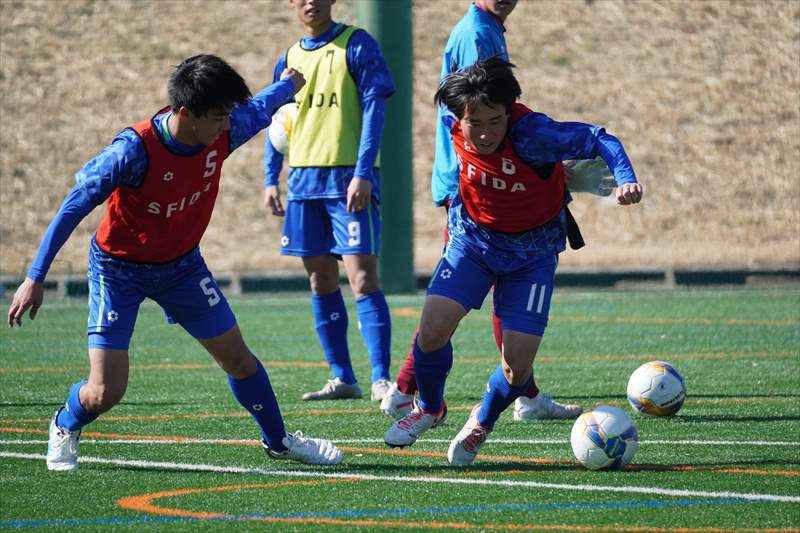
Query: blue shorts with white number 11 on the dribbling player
(522,287)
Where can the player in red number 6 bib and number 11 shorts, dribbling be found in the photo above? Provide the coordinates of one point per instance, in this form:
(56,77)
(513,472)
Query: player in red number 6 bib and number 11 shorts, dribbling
(507,224)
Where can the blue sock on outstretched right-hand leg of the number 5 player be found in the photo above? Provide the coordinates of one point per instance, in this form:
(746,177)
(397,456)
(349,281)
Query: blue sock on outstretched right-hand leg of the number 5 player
(256,395)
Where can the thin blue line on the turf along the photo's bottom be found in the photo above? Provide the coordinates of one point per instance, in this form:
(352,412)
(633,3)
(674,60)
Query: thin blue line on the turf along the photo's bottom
(378,512)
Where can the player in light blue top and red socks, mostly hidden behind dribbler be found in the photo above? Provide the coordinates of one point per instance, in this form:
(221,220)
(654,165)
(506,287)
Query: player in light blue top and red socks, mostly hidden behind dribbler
(479,35)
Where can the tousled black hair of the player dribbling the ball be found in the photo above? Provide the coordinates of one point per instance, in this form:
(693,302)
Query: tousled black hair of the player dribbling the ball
(489,82)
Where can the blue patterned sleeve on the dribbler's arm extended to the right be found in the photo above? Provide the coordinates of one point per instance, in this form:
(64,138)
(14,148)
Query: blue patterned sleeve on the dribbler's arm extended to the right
(538,139)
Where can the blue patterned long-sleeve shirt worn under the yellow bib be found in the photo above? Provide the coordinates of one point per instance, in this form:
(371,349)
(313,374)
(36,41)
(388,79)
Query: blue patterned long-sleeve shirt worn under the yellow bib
(368,69)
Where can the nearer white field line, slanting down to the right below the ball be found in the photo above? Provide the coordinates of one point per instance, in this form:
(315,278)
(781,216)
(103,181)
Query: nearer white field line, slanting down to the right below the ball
(186,467)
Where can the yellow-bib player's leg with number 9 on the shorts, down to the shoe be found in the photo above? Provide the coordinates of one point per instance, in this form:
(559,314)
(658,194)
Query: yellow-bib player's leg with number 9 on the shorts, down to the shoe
(358,242)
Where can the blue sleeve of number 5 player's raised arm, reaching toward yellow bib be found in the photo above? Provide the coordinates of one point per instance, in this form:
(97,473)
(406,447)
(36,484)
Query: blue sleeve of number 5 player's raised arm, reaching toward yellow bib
(249,119)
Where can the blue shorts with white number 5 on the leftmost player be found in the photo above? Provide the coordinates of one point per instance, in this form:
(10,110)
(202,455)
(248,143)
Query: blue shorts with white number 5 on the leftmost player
(184,288)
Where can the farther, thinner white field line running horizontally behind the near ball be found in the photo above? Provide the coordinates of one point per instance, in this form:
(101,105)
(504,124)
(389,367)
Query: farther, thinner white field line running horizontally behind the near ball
(431,441)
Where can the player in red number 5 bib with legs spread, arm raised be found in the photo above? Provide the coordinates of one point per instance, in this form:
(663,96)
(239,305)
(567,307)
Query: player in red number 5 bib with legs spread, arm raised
(160,179)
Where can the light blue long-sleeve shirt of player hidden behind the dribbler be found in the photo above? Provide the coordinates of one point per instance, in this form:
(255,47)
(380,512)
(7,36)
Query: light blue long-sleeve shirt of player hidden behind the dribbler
(477,36)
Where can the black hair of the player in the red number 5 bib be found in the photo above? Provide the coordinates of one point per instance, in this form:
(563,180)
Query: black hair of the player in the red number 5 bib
(205,82)
